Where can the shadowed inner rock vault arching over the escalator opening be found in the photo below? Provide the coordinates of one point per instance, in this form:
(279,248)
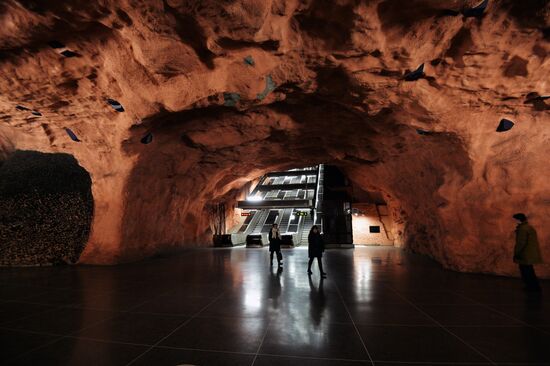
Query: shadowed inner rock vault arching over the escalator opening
(207,156)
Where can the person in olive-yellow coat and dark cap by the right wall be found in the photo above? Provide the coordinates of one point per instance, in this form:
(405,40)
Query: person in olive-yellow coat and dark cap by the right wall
(527,252)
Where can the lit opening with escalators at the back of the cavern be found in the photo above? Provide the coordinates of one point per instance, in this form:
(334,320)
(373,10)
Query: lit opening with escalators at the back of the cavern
(321,195)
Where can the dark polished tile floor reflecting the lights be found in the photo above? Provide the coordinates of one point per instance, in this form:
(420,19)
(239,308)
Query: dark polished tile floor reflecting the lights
(228,307)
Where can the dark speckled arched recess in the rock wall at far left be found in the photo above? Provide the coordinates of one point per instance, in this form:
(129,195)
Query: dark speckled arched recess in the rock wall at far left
(46,209)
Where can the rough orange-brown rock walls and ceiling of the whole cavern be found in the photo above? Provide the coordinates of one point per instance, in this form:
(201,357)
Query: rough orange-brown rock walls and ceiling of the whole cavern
(225,91)
